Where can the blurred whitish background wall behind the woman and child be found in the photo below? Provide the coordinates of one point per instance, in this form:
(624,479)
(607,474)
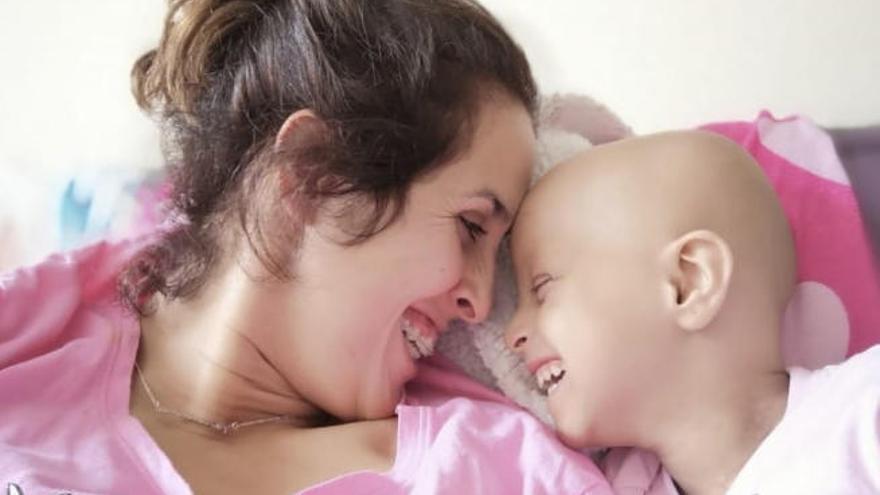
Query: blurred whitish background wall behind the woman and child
(65,106)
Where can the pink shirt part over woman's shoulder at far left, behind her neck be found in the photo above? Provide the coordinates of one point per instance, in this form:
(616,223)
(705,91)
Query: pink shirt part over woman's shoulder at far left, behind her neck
(66,352)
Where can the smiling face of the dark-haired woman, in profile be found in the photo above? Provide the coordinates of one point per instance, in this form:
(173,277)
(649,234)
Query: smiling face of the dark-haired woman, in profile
(362,315)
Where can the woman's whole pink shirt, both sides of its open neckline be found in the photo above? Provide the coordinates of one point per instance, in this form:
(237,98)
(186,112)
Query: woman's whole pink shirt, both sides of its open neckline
(66,355)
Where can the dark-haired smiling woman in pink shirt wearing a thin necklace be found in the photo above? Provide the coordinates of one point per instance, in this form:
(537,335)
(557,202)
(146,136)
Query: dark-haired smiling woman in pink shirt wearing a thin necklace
(342,173)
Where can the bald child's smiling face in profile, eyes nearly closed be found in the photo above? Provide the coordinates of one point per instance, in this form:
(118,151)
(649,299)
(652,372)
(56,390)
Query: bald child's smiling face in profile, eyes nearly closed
(589,307)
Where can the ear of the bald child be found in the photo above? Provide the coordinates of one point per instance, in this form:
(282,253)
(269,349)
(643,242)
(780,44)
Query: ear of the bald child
(698,269)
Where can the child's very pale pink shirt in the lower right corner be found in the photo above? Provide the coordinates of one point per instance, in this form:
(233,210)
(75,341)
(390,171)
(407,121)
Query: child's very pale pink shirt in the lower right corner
(829,438)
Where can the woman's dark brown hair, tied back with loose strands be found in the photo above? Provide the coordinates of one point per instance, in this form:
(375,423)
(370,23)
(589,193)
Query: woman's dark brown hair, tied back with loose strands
(394,83)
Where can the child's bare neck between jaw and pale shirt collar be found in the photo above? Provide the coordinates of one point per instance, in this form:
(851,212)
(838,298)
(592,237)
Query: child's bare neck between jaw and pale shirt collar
(704,442)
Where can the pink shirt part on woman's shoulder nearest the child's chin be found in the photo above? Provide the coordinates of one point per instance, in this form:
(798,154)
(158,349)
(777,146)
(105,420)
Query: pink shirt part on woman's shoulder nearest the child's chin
(456,436)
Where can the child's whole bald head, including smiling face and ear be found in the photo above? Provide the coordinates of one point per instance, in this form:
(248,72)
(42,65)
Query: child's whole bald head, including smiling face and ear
(655,272)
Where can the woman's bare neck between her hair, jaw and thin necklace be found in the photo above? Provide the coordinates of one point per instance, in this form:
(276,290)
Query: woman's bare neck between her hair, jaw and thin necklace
(202,357)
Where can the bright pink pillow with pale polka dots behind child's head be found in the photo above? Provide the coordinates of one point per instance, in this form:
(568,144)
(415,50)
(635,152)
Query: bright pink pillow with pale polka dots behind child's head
(835,311)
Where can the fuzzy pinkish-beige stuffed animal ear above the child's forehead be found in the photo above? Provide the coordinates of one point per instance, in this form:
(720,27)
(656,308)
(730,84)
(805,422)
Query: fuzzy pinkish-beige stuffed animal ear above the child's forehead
(584,116)
